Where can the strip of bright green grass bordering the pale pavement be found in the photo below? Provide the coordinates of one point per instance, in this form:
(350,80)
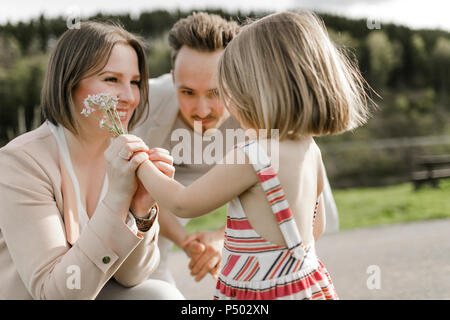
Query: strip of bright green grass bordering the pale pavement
(365,207)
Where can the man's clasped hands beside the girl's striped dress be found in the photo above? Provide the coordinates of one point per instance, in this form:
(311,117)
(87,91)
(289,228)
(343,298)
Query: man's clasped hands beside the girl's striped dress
(209,260)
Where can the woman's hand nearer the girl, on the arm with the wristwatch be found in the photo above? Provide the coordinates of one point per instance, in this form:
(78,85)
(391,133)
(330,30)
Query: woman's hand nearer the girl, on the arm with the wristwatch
(142,200)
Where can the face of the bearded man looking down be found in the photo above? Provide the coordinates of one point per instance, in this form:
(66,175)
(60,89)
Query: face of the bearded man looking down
(194,77)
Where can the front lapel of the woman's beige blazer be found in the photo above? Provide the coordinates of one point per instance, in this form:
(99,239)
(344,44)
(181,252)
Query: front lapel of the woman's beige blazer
(70,206)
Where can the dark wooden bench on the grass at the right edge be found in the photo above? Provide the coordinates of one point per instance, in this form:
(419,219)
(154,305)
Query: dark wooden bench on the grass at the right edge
(429,169)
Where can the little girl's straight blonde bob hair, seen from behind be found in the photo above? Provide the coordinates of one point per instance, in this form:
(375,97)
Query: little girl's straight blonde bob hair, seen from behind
(283,72)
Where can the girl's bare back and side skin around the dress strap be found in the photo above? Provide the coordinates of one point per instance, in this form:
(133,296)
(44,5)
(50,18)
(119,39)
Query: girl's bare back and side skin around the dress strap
(299,171)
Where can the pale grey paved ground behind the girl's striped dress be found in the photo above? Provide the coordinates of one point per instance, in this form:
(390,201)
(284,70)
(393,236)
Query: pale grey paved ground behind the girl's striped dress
(413,260)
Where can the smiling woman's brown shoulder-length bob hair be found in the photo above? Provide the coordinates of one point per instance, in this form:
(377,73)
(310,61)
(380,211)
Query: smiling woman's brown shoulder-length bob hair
(80,53)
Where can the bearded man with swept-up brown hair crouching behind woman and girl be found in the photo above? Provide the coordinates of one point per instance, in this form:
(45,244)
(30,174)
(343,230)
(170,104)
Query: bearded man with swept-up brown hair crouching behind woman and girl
(177,100)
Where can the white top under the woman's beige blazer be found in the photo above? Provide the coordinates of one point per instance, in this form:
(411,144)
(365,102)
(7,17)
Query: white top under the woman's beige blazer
(83,218)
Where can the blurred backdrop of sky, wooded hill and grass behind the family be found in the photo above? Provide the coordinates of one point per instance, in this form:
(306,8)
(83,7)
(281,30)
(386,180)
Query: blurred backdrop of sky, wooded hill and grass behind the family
(401,47)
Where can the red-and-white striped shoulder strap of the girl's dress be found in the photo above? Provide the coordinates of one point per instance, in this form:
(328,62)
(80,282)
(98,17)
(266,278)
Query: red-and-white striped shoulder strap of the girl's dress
(275,196)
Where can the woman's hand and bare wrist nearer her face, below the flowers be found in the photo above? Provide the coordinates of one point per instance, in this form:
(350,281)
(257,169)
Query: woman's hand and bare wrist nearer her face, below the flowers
(123,157)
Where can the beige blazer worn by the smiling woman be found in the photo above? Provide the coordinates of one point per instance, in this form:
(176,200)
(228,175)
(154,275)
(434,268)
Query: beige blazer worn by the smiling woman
(42,253)
